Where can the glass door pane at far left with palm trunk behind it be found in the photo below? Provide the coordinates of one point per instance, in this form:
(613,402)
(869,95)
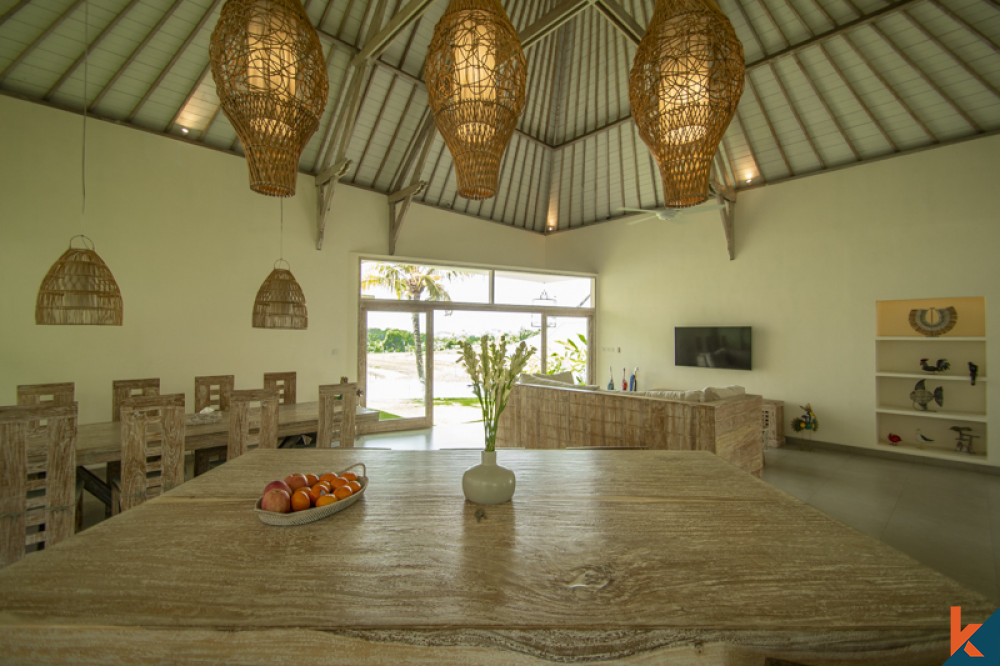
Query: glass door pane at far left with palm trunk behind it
(396,366)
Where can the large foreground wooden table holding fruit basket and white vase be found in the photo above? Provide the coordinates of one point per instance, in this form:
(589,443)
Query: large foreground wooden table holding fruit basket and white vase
(635,557)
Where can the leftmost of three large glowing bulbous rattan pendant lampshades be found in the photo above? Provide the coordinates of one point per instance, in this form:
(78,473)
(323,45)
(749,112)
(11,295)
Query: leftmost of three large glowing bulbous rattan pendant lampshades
(270,76)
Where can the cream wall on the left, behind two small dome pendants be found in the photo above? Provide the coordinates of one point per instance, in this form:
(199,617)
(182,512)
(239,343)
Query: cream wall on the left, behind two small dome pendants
(189,244)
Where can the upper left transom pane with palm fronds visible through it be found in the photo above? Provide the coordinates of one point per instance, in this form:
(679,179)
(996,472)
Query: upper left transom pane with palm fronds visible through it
(420,282)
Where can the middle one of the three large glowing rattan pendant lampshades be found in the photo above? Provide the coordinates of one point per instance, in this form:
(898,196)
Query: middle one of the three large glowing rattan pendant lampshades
(475,72)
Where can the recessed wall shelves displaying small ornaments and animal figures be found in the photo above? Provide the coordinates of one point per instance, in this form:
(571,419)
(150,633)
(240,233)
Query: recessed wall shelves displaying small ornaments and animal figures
(946,415)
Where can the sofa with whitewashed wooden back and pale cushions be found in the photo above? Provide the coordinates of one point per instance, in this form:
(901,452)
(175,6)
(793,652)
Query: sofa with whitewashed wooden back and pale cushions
(547,414)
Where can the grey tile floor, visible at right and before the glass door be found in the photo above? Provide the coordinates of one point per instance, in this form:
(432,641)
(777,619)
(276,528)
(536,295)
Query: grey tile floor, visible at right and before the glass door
(946,518)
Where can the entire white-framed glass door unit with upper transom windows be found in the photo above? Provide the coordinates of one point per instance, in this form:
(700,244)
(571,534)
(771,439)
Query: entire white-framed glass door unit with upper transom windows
(414,317)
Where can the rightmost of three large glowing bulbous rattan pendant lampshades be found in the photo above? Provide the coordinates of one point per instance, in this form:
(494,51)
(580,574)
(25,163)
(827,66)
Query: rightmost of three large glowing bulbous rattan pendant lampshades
(686,80)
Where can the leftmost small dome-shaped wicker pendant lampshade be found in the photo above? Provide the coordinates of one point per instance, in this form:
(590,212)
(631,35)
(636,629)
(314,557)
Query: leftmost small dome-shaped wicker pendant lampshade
(79,289)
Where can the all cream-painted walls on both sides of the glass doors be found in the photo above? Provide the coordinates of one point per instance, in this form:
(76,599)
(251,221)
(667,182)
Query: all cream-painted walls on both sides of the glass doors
(189,244)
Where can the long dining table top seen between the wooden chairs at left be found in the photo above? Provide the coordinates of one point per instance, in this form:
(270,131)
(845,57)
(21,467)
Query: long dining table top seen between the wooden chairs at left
(98,443)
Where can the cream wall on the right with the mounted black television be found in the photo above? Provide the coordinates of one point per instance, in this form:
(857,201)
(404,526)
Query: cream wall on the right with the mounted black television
(813,256)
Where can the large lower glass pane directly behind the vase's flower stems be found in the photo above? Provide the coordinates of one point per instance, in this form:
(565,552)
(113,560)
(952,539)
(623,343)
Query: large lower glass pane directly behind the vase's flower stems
(454,401)
